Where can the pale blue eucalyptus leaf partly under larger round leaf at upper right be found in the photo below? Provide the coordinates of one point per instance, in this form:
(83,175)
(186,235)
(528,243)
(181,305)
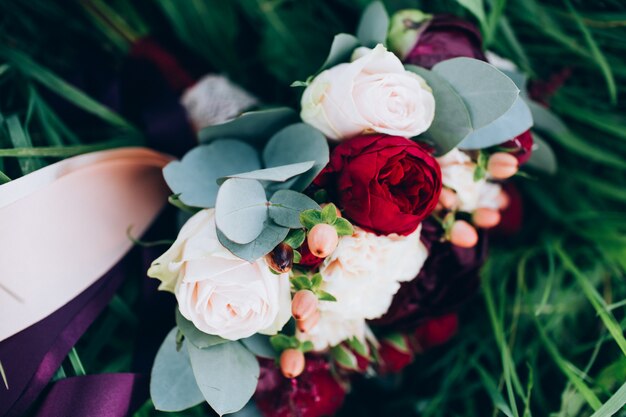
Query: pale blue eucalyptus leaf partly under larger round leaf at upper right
(513,123)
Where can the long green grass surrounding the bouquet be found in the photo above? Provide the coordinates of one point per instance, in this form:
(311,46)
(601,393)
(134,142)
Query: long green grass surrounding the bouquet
(545,336)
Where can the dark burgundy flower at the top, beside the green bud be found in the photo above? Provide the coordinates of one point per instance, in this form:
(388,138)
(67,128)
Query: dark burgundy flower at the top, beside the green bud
(446,37)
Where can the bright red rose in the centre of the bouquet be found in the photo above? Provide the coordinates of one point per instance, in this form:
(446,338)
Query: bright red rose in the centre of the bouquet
(385,184)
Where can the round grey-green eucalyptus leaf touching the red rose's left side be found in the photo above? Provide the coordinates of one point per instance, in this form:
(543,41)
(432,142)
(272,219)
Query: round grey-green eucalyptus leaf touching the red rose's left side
(298,142)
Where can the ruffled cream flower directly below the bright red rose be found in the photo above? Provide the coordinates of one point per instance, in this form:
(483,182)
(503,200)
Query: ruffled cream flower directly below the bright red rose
(363,274)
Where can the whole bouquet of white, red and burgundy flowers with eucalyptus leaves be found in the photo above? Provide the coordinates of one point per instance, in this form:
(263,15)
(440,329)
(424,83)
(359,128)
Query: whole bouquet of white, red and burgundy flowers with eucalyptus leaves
(340,242)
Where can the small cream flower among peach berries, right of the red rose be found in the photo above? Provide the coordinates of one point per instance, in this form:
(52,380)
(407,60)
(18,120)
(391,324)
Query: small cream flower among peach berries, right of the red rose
(457,173)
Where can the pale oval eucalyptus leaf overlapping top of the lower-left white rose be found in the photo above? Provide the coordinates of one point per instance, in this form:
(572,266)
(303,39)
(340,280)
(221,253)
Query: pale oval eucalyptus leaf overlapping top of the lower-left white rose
(241,209)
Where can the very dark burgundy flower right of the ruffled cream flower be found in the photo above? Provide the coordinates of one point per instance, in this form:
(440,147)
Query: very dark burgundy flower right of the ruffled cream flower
(449,277)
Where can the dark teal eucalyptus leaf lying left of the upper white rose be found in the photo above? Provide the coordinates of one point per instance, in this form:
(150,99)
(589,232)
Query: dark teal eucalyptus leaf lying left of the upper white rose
(253,127)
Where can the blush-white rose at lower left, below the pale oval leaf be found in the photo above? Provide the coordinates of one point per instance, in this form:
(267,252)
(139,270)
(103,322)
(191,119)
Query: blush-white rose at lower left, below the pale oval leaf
(220,293)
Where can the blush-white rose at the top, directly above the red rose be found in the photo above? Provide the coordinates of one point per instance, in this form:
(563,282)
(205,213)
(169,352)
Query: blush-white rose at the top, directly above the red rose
(374,93)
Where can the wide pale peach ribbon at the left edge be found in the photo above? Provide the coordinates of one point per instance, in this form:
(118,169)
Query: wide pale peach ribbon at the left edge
(64,226)
